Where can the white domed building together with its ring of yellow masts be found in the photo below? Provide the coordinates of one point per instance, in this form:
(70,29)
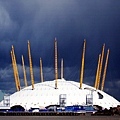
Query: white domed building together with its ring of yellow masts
(59,91)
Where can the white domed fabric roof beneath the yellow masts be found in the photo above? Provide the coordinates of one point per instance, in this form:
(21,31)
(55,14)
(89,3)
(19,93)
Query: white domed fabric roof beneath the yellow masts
(68,93)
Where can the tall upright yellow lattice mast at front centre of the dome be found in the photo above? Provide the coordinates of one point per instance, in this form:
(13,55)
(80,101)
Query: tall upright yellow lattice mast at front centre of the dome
(56,64)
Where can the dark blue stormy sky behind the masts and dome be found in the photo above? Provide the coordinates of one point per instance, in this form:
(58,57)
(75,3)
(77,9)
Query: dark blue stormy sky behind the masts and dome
(70,21)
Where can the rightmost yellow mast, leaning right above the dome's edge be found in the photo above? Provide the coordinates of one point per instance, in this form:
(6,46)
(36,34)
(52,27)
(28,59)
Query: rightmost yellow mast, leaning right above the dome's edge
(105,69)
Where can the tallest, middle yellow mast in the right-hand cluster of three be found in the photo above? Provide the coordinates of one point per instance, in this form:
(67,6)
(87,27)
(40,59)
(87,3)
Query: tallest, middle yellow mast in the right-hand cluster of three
(100,70)
